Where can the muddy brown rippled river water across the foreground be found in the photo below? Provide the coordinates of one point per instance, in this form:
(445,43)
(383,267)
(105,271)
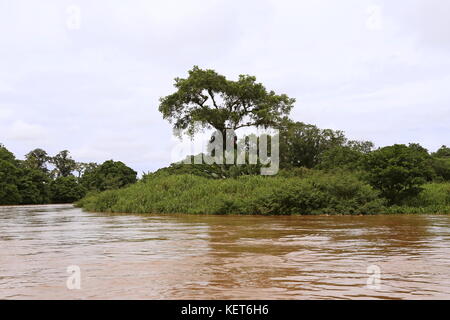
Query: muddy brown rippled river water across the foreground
(214,257)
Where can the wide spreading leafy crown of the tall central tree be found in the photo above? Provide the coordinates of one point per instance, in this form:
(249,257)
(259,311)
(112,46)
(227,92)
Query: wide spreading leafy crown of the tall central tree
(207,100)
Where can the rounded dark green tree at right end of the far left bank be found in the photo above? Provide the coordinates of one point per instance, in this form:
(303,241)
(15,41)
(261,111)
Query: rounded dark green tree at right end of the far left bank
(110,175)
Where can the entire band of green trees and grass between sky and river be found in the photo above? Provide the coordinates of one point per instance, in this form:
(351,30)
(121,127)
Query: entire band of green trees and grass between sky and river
(322,172)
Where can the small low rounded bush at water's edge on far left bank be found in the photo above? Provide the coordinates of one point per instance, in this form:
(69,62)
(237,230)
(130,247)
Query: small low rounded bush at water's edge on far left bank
(66,190)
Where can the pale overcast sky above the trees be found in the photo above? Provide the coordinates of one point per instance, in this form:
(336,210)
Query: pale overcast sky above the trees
(87,75)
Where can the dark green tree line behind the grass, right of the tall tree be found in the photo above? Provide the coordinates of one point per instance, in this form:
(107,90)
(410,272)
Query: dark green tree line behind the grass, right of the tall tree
(397,171)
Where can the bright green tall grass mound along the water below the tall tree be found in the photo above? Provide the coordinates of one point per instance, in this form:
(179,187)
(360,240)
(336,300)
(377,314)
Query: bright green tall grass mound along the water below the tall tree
(316,194)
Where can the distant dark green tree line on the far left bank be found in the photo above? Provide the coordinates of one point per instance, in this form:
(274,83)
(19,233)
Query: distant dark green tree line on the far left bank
(43,179)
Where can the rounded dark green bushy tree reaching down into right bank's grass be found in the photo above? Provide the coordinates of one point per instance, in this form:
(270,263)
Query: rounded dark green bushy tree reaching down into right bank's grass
(398,171)
